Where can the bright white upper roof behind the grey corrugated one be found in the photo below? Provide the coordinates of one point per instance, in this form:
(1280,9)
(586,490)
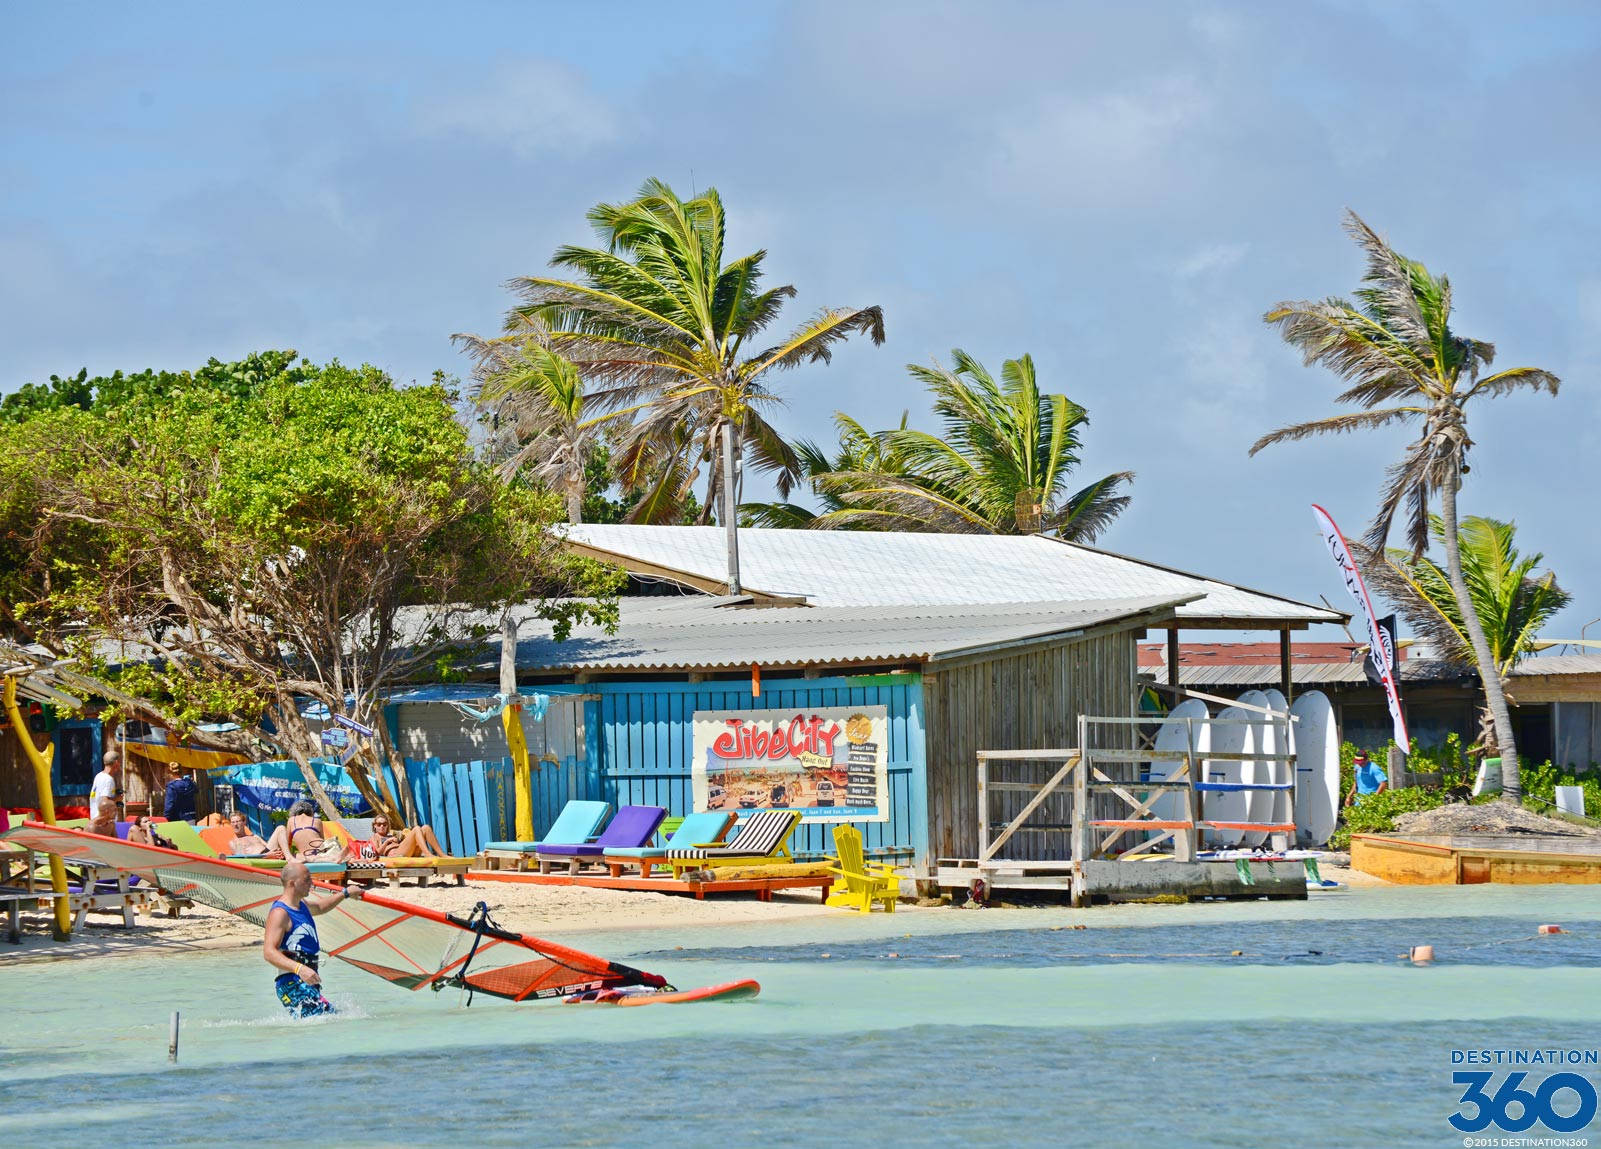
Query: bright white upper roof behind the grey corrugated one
(889,569)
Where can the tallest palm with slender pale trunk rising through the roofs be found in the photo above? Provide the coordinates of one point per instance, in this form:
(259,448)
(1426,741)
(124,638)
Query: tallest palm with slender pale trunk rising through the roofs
(662,329)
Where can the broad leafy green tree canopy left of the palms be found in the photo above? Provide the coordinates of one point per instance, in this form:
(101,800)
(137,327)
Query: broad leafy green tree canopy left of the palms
(236,542)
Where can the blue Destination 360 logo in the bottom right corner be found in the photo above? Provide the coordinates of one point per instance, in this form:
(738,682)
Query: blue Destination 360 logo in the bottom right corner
(1523,1091)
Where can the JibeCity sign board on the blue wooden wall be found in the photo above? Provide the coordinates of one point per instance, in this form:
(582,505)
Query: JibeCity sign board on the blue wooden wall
(830,763)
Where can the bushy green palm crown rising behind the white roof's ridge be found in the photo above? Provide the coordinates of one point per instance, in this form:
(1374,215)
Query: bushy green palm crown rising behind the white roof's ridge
(1000,468)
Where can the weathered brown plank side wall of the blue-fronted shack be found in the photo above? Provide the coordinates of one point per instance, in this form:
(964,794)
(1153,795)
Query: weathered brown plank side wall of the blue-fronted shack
(1019,702)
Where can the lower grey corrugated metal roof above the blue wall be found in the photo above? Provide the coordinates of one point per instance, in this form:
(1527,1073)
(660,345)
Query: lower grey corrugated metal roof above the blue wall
(702,633)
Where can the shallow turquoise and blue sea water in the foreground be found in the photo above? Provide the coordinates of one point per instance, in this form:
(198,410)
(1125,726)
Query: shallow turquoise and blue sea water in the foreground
(1218,1025)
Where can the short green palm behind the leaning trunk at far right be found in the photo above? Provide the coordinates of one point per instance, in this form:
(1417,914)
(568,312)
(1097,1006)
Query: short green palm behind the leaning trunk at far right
(1511,603)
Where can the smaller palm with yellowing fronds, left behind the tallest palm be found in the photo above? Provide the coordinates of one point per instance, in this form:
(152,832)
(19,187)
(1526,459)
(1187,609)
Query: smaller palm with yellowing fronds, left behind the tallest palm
(544,398)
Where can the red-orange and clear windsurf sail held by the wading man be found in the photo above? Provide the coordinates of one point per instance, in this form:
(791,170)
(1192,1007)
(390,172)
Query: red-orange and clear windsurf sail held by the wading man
(409,947)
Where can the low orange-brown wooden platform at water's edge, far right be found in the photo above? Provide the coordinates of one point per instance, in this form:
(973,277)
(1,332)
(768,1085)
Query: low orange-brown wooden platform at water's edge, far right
(1512,860)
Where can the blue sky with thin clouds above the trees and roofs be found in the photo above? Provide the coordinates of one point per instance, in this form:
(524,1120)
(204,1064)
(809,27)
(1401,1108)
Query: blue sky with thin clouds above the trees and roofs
(1118,190)
